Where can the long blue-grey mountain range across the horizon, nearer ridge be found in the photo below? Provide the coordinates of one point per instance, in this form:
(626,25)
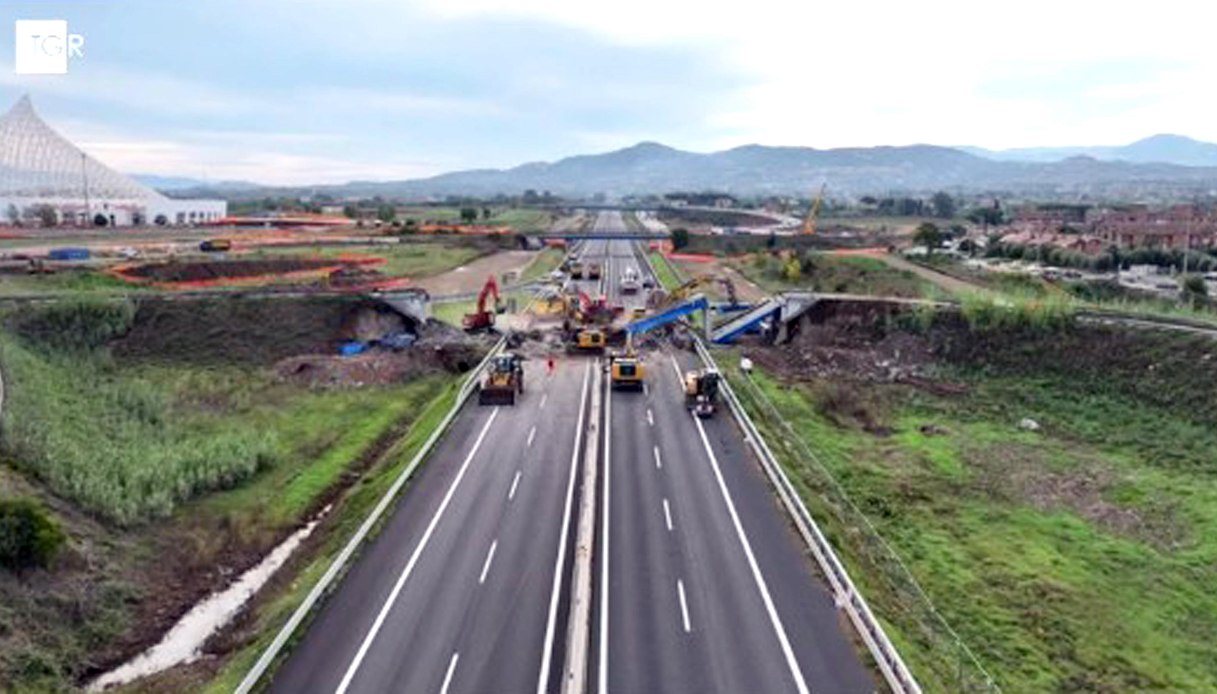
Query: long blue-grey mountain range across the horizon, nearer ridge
(756,170)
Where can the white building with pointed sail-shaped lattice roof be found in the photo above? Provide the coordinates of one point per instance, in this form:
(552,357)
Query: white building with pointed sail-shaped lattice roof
(41,171)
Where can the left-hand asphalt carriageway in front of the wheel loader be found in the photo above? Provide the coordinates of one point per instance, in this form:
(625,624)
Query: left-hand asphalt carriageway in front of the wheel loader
(466,587)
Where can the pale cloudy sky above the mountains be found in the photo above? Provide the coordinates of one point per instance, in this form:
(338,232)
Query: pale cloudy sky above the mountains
(318,92)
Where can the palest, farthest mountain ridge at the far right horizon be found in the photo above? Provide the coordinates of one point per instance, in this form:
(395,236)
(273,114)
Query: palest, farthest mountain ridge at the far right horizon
(1157,149)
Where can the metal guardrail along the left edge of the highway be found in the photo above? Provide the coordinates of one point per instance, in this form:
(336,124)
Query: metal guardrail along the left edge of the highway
(337,567)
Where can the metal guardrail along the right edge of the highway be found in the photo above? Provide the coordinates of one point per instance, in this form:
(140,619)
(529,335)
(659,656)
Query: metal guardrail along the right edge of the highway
(846,595)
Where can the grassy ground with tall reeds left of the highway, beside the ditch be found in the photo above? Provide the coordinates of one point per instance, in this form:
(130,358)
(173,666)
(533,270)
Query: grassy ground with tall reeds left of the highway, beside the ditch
(159,467)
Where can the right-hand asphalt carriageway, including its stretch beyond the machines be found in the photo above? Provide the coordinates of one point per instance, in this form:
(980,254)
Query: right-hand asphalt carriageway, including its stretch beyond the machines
(702,584)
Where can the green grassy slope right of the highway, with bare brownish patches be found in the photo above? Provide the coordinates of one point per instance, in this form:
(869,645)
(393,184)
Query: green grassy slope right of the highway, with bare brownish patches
(1075,558)
